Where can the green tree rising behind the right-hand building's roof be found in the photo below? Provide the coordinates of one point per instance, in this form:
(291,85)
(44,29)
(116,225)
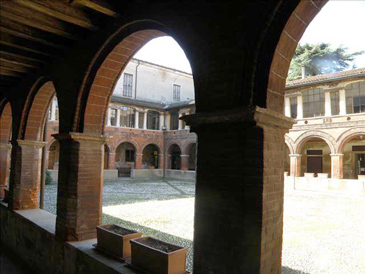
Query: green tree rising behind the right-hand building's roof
(320,59)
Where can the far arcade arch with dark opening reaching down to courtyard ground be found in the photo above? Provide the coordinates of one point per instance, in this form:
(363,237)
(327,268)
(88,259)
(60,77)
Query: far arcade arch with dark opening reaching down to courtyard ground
(125,159)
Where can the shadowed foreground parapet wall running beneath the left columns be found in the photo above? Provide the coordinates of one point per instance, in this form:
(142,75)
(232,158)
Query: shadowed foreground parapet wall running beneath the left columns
(30,234)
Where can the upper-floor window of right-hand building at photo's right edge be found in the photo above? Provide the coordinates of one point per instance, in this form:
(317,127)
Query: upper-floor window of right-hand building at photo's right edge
(355,97)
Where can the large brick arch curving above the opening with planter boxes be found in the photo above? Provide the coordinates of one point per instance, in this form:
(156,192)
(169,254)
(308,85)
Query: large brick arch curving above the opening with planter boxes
(105,70)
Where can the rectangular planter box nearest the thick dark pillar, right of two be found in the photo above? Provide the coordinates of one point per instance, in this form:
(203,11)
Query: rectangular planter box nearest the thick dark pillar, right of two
(158,257)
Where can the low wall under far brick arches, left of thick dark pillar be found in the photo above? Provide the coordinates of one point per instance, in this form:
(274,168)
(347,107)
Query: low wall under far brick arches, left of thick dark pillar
(158,173)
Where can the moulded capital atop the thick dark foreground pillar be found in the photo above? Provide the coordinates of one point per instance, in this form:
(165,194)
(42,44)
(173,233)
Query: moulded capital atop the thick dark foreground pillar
(254,115)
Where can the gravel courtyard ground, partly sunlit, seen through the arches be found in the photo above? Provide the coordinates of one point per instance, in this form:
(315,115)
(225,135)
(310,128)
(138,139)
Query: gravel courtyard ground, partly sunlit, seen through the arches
(322,233)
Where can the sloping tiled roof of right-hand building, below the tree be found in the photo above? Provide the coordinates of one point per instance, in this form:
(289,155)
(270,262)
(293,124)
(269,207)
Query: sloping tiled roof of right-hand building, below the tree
(326,77)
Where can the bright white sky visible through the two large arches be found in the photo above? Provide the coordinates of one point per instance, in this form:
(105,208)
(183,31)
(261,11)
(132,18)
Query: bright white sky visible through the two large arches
(338,23)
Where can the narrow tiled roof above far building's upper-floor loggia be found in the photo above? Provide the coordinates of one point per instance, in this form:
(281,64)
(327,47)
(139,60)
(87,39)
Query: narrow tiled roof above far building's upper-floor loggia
(149,104)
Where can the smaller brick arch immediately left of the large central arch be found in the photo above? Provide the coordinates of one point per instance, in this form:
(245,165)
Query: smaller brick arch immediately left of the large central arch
(35,112)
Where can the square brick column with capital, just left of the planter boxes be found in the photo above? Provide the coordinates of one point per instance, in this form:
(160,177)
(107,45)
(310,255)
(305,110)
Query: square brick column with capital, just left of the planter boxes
(80,186)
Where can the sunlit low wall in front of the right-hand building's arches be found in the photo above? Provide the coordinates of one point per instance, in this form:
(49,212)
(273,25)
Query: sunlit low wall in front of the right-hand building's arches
(340,186)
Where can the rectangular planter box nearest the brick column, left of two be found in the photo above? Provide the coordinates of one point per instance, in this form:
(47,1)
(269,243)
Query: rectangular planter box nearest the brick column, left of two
(115,240)
